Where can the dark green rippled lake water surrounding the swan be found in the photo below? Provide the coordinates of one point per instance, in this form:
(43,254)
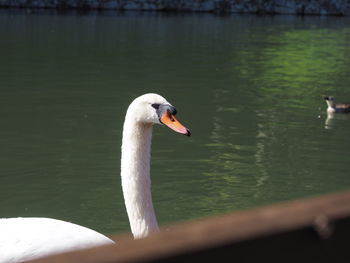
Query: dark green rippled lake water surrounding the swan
(248,87)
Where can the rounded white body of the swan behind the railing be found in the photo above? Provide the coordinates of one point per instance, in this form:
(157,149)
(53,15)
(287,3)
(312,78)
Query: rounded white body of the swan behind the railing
(30,238)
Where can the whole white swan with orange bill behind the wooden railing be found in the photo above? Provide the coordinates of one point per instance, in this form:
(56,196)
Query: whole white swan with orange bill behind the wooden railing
(30,238)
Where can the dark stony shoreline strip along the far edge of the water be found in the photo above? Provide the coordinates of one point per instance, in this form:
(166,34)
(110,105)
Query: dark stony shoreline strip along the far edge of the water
(271,7)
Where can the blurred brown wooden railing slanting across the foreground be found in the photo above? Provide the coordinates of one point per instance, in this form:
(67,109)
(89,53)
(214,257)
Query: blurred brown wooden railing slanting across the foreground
(311,230)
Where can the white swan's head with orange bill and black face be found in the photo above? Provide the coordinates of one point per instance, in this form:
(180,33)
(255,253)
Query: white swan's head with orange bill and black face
(154,109)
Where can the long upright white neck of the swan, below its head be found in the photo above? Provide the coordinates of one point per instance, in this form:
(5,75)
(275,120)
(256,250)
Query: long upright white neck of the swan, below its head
(136,180)
